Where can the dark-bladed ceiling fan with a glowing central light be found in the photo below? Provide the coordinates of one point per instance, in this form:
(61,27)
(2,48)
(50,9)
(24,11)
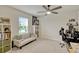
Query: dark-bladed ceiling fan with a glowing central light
(48,10)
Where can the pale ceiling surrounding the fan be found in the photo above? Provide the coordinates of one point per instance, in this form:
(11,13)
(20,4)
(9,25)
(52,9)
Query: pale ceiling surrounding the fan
(33,9)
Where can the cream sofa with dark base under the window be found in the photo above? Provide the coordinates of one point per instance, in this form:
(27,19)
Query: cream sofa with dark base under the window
(21,40)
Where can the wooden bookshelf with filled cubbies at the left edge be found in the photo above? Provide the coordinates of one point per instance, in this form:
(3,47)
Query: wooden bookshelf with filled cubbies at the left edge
(5,34)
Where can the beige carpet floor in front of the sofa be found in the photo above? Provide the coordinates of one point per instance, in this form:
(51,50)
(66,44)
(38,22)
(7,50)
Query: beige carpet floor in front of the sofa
(41,46)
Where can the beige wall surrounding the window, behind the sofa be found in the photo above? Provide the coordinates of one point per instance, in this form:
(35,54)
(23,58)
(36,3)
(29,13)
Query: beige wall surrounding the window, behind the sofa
(13,14)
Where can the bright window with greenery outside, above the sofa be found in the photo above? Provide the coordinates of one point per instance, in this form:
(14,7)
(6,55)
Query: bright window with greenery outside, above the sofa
(23,25)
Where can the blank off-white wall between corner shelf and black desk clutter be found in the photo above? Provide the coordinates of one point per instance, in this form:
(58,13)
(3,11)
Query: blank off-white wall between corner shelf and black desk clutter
(51,24)
